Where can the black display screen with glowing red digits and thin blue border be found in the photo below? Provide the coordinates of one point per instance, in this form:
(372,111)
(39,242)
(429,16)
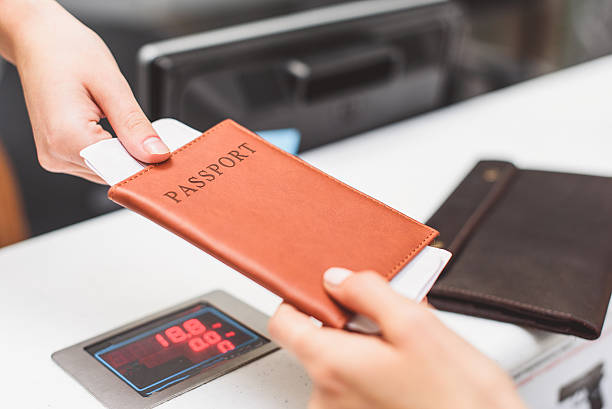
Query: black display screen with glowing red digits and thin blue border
(173,348)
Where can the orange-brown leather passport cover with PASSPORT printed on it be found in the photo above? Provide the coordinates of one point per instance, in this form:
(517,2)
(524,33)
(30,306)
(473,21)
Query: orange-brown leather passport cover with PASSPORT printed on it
(272,216)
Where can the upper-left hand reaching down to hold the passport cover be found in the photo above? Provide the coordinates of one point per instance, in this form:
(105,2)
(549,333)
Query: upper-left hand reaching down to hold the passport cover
(71,81)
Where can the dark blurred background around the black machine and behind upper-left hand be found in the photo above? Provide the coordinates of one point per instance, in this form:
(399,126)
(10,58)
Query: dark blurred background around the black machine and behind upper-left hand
(504,42)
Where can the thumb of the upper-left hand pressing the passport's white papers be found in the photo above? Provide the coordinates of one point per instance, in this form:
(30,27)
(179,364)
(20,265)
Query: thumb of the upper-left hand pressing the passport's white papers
(132,127)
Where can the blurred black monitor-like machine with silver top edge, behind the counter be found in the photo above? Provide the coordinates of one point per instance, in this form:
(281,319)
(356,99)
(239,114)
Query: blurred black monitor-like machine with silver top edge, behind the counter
(330,73)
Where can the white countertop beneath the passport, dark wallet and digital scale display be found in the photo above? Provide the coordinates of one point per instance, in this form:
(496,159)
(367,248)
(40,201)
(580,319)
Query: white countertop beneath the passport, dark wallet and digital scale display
(69,285)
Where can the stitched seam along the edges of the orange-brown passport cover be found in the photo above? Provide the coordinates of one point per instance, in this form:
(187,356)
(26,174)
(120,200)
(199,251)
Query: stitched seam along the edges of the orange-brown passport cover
(432,232)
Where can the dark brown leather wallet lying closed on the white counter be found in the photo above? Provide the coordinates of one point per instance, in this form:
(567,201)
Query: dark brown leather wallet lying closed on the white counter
(530,248)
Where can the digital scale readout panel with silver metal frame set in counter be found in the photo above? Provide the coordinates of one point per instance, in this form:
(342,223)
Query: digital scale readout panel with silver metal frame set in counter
(149,361)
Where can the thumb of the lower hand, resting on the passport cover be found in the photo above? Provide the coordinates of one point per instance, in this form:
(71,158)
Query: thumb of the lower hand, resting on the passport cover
(371,295)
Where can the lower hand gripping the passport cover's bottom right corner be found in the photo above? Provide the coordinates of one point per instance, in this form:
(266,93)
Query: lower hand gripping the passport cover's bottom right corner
(417,362)
